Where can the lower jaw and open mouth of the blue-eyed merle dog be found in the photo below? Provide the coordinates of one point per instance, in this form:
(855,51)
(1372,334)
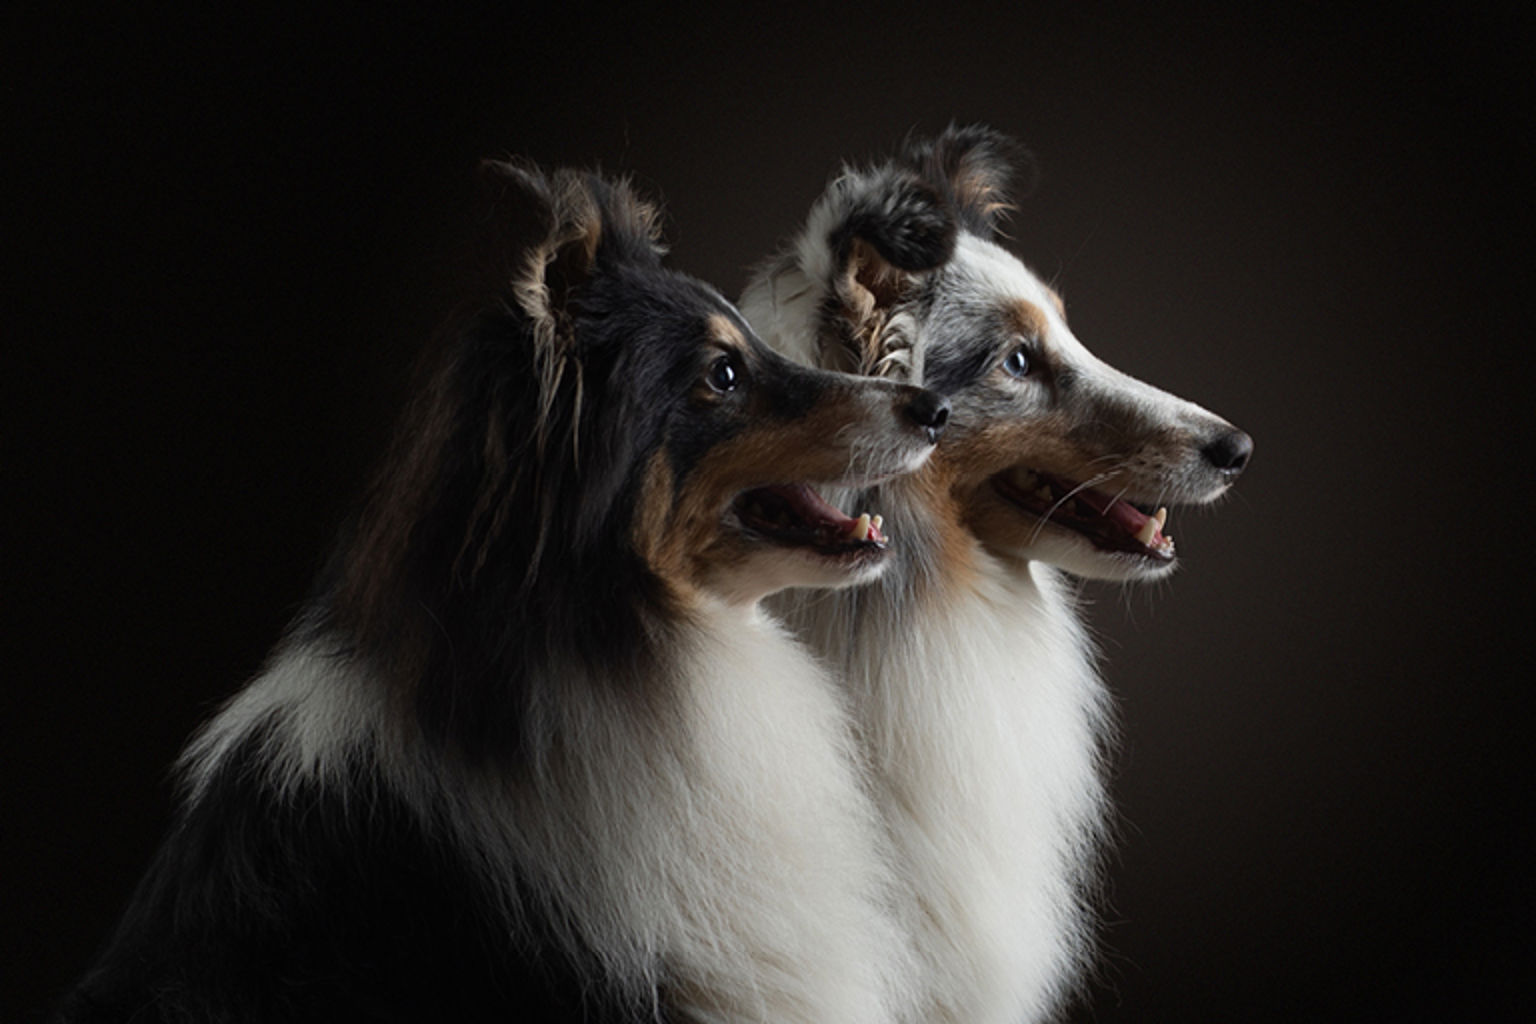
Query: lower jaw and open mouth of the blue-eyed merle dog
(1087,533)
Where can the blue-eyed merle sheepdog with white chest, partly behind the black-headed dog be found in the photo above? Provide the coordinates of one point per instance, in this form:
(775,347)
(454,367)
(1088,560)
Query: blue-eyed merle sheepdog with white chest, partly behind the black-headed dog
(973,679)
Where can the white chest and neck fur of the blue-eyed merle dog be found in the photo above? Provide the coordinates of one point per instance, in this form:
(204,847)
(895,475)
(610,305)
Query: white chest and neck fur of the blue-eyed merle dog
(981,712)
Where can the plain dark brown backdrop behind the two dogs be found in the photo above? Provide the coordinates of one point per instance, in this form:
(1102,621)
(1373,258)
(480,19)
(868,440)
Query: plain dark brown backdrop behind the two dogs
(231,237)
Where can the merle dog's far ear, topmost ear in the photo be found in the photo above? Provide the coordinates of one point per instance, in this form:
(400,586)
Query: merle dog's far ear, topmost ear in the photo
(975,168)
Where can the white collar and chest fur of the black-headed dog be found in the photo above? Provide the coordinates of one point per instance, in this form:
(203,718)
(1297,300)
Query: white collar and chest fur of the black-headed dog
(723,842)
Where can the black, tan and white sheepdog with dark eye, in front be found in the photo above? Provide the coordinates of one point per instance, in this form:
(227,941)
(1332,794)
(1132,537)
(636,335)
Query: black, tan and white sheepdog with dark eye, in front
(534,751)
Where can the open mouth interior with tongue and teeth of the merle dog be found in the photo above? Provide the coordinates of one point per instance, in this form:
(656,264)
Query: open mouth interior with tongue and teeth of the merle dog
(1111,524)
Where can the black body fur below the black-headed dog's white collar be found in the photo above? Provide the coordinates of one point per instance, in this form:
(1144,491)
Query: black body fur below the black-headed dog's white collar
(323,905)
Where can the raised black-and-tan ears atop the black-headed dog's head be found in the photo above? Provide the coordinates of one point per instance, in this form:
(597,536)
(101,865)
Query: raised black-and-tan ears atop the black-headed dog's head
(552,233)
